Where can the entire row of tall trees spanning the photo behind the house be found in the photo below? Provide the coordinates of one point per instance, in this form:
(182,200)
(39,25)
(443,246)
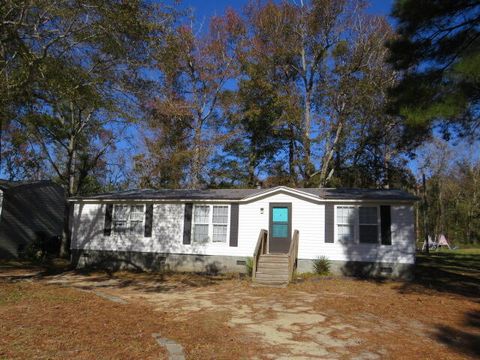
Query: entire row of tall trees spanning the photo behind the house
(299,93)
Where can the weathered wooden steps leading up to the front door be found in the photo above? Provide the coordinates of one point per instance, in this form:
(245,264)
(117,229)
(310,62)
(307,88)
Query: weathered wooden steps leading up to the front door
(272,270)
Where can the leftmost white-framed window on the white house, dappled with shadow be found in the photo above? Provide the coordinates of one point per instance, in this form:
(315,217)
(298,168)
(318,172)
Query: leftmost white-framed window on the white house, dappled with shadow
(128,219)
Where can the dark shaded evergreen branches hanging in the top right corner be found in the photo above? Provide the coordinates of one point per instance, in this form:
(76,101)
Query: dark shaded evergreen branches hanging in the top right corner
(438,49)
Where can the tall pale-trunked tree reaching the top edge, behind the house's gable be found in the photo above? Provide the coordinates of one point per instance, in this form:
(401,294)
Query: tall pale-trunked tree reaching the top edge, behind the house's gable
(300,38)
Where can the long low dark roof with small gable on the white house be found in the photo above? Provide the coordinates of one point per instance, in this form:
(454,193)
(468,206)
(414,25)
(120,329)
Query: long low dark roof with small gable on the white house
(245,194)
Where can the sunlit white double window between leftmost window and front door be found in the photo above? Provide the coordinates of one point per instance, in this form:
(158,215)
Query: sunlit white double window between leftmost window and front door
(210,222)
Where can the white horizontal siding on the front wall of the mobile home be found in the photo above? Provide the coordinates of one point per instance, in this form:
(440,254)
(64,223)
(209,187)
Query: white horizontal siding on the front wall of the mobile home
(307,216)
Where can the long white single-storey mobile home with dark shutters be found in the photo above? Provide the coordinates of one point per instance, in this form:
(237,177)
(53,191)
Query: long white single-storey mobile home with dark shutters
(360,231)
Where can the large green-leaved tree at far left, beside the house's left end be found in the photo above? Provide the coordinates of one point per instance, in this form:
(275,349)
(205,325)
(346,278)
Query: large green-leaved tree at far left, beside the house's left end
(75,67)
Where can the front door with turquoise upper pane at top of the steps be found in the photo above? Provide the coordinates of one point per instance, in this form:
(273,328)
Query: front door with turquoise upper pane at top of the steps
(280,227)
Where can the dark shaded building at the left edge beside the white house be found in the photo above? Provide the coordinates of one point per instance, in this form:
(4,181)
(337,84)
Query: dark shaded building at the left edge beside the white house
(29,210)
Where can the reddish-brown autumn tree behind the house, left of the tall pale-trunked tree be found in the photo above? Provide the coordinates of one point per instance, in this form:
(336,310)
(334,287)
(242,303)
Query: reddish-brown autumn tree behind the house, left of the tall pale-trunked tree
(195,68)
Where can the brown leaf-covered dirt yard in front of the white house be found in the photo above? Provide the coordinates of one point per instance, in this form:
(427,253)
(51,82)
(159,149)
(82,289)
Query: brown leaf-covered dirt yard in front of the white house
(114,316)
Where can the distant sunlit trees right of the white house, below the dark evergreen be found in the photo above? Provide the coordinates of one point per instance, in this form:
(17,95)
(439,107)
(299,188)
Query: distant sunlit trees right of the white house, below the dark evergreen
(453,193)
